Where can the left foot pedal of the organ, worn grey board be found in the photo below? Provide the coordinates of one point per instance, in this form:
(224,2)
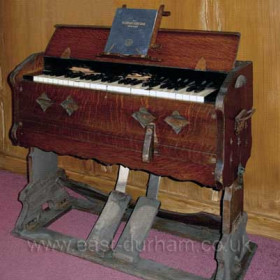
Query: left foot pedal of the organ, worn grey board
(108,222)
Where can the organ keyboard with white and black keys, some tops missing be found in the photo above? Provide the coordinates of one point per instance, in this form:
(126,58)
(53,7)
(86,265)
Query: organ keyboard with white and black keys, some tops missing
(181,86)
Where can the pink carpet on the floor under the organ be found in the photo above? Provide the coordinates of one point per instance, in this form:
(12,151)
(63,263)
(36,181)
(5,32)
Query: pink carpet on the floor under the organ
(23,260)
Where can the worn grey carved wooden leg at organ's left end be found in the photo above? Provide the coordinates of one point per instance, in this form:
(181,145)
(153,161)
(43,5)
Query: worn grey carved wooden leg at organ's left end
(43,199)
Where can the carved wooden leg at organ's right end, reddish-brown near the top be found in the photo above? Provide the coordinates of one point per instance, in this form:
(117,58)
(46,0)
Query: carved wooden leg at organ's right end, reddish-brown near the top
(234,250)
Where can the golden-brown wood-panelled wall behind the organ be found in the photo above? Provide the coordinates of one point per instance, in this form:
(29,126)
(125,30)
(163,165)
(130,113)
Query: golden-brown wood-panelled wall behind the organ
(26,27)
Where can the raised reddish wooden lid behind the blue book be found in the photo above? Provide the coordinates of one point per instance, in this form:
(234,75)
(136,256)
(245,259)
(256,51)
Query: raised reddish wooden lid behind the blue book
(89,43)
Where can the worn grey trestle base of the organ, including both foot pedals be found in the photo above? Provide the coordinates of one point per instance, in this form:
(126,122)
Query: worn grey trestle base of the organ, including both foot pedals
(45,199)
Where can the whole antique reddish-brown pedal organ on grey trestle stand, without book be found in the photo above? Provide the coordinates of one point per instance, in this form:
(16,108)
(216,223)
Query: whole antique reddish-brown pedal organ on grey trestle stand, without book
(183,111)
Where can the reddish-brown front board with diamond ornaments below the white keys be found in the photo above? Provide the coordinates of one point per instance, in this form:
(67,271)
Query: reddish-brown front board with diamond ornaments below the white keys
(119,118)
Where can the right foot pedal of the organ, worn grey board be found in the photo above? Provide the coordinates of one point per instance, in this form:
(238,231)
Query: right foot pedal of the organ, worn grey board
(136,230)
